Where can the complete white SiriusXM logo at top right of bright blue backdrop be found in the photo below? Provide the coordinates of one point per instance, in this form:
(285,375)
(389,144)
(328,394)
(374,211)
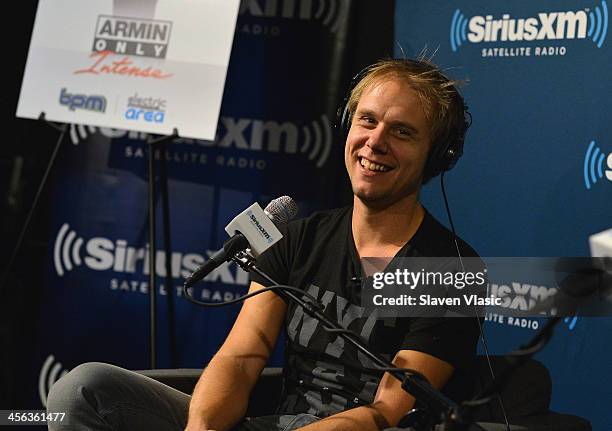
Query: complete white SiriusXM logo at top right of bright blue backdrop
(581,24)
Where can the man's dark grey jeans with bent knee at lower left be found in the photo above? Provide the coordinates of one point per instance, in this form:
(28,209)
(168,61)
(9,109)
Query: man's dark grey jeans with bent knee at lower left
(97,396)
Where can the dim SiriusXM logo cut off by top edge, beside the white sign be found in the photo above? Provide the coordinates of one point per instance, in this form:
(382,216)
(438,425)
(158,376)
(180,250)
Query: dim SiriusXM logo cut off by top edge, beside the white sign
(330,12)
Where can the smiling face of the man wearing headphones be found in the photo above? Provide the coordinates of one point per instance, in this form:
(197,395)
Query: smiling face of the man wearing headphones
(388,143)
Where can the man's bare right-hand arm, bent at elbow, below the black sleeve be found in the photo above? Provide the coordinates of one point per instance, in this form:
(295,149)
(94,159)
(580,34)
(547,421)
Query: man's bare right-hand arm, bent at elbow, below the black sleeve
(391,402)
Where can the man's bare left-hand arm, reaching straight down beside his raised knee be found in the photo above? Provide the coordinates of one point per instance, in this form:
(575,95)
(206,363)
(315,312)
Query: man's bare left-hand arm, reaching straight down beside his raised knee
(221,396)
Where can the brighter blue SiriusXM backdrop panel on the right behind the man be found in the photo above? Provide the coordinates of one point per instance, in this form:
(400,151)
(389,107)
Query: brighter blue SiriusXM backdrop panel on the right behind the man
(536,179)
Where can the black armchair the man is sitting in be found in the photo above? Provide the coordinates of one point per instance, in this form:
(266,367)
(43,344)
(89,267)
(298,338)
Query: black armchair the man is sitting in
(526,397)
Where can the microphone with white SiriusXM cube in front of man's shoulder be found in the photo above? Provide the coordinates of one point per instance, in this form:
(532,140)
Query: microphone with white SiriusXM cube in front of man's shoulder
(253,230)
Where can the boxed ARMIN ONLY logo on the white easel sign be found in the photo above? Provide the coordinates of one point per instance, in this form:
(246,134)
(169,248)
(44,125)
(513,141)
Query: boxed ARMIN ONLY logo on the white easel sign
(132,36)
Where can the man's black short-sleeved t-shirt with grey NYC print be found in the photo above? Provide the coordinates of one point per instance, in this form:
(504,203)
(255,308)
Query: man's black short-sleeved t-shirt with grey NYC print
(323,374)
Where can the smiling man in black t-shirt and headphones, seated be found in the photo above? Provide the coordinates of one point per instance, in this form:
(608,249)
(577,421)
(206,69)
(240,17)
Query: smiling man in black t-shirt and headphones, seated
(404,123)
